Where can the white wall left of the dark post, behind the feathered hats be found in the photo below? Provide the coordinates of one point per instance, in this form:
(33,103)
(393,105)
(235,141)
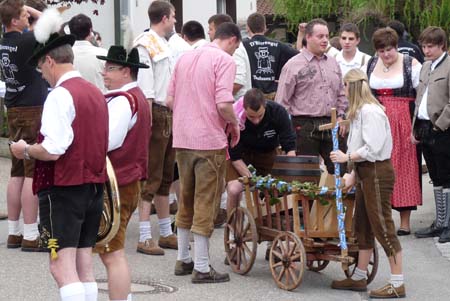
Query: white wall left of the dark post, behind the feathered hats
(103,23)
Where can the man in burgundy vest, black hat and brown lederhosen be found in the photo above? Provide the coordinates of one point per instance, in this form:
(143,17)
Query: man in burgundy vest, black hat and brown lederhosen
(129,134)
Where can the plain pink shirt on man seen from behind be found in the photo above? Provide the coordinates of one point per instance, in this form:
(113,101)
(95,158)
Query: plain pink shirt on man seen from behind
(202,78)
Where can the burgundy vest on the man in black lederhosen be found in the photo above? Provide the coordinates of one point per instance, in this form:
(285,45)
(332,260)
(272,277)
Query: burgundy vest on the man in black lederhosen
(85,159)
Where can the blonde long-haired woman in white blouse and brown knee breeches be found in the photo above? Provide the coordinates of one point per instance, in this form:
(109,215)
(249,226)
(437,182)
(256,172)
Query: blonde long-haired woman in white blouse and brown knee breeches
(369,150)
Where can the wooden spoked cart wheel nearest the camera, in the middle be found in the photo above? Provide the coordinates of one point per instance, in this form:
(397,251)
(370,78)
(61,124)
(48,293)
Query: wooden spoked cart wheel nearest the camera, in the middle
(287,260)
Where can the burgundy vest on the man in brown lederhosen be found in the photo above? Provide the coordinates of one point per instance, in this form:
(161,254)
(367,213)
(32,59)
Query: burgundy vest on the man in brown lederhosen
(130,161)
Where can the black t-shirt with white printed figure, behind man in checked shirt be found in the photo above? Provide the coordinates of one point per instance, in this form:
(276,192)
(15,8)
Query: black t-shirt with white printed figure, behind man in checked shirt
(267,57)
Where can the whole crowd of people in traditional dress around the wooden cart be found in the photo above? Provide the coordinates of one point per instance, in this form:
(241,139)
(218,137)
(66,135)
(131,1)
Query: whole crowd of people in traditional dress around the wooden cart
(178,109)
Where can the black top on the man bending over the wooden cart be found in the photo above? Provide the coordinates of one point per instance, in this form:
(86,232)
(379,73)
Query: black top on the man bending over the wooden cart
(274,129)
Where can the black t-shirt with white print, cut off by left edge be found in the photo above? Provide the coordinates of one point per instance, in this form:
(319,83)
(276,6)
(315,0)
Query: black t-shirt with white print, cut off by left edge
(24,85)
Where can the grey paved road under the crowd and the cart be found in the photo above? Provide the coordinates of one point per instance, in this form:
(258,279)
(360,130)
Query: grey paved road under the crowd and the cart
(25,276)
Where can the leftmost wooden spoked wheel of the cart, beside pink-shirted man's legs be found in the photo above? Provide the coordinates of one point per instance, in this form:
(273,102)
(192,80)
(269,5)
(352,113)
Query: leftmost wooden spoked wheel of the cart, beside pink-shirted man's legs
(241,240)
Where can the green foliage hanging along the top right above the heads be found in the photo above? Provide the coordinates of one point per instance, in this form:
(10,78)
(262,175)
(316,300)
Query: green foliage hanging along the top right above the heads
(415,14)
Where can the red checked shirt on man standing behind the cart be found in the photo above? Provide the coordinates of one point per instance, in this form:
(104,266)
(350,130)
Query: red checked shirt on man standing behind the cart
(311,86)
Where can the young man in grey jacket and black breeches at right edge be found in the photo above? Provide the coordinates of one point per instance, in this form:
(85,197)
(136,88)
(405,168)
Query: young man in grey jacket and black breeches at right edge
(431,126)
